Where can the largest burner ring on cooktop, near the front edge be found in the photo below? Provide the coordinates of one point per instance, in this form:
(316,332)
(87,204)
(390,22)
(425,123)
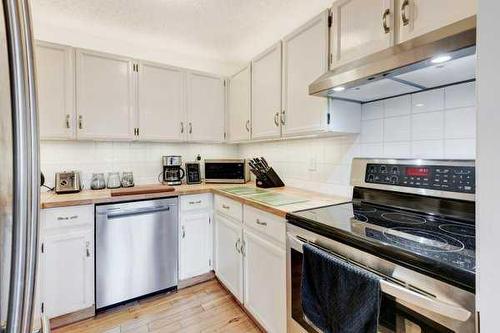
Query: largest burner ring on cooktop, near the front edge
(419,240)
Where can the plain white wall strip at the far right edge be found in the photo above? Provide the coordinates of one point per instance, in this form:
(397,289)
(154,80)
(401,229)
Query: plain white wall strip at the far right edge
(488,165)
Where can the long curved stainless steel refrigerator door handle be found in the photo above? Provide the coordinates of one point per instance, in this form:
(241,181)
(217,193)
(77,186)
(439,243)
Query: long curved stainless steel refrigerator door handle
(26,168)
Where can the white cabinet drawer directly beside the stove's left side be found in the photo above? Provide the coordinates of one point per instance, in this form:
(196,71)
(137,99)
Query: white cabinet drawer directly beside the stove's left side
(265,223)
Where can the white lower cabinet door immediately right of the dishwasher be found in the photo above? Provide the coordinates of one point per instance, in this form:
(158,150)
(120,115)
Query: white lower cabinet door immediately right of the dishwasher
(195,245)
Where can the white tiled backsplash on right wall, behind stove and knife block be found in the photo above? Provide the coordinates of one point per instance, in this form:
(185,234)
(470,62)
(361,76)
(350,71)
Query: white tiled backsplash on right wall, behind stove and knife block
(434,124)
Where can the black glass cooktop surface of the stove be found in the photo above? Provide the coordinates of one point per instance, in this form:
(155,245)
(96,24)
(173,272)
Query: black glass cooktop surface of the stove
(448,242)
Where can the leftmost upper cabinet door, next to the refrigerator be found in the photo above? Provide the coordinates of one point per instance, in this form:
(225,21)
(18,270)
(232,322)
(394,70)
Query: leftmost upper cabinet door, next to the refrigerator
(56,85)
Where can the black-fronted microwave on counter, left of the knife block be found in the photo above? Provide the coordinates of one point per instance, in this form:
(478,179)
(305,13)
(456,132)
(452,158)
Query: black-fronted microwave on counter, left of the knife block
(231,171)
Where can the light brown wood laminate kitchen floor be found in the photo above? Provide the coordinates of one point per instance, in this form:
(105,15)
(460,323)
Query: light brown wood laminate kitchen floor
(206,307)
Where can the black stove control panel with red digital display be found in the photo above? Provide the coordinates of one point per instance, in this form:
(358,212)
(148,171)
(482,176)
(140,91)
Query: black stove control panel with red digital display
(460,179)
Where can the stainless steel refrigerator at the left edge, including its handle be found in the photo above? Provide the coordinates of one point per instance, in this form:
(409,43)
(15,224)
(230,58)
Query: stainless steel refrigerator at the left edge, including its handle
(19,169)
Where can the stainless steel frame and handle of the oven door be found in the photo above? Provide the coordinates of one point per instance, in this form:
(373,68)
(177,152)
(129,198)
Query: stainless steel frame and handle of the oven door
(442,303)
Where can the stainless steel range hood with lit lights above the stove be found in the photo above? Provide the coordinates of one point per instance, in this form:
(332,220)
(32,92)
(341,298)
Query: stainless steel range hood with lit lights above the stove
(438,58)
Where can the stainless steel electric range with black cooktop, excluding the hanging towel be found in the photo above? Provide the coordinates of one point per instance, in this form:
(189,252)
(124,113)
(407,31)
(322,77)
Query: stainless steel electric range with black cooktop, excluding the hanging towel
(412,223)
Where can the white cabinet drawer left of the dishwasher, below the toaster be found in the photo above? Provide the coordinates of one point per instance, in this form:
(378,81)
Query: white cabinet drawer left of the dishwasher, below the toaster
(74,216)
